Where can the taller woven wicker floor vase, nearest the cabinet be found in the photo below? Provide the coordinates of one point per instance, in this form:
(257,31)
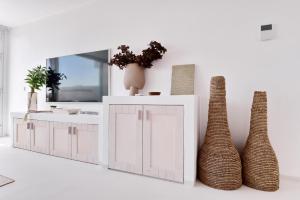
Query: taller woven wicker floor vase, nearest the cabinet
(219,163)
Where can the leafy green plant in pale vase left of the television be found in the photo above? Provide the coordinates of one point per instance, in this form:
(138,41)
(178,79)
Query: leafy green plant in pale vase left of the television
(36,78)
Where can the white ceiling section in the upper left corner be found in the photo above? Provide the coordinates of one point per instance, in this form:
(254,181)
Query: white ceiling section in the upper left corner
(18,12)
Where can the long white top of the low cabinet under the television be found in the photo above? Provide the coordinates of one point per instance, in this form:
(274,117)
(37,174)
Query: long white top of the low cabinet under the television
(61,117)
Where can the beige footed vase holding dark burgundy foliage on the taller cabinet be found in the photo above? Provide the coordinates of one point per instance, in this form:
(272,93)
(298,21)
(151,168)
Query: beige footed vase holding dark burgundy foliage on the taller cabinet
(134,77)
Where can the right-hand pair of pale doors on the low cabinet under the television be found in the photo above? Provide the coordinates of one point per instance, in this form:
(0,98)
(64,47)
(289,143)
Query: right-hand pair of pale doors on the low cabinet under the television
(74,141)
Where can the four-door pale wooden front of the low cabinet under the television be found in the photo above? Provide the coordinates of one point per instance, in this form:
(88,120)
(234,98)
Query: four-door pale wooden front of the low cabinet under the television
(68,140)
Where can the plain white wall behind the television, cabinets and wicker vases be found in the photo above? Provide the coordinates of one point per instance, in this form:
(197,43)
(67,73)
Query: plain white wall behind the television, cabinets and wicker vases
(220,37)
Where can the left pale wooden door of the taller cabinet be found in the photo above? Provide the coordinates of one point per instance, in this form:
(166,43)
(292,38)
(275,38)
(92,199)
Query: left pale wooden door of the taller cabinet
(125,138)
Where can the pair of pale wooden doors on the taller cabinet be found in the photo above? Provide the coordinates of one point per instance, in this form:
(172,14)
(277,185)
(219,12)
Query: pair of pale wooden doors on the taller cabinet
(148,140)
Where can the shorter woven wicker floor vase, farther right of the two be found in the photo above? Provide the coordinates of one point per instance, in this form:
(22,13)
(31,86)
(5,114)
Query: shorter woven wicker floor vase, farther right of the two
(260,165)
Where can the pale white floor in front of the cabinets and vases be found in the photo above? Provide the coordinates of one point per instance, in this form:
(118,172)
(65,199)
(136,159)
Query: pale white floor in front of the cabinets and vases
(42,177)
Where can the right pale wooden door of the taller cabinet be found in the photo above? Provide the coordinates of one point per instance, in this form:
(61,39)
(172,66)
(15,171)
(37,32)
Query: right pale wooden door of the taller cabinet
(163,142)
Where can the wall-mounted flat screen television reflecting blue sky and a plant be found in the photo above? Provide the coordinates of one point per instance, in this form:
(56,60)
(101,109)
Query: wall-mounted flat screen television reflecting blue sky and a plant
(83,77)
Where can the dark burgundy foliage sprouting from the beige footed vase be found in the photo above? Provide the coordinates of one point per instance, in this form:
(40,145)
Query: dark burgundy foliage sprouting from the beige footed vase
(125,57)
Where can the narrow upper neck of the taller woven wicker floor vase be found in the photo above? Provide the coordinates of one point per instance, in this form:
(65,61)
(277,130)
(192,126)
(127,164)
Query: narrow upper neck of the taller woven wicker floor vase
(217,113)
